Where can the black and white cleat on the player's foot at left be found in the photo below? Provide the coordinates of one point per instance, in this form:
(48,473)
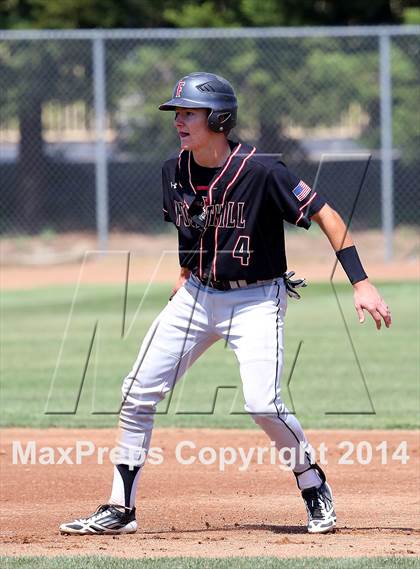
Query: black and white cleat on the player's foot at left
(107,520)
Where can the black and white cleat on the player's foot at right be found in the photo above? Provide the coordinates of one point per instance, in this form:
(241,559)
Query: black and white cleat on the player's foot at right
(320,508)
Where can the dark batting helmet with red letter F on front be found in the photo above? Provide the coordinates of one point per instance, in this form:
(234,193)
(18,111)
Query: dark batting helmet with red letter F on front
(206,91)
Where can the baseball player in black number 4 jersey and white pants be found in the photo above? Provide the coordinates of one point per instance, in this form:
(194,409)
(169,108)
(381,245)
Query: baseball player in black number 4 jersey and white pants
(228,204)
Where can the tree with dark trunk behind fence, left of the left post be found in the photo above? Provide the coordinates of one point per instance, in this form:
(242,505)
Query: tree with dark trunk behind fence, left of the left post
(33,74)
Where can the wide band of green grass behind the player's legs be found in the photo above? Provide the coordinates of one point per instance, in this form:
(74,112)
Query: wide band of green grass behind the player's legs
(326,377)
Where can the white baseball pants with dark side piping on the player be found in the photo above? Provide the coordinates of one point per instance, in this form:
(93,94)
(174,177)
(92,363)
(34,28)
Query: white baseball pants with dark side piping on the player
(251,320)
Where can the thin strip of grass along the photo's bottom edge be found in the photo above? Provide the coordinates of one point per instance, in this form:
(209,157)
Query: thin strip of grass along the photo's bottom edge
(191,563)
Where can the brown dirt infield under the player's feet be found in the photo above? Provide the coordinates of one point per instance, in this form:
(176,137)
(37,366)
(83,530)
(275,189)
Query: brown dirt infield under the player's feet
(201,510)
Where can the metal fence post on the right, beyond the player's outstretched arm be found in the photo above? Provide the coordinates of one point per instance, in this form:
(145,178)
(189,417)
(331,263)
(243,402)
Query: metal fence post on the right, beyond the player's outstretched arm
(387,180)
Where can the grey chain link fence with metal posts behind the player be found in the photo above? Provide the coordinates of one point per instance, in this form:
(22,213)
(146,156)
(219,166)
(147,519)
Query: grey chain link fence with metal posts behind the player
(82,140)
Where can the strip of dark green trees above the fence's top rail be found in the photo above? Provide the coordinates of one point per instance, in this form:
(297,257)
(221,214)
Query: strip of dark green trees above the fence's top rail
(201,13)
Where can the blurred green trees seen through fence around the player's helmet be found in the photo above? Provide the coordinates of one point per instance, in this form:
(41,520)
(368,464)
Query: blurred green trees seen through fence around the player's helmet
(306,81)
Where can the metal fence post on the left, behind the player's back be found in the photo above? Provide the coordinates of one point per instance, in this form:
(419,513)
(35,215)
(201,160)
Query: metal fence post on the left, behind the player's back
(101,172)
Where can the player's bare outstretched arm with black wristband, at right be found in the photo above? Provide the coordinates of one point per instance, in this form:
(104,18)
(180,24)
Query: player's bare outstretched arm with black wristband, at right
(366,296)
